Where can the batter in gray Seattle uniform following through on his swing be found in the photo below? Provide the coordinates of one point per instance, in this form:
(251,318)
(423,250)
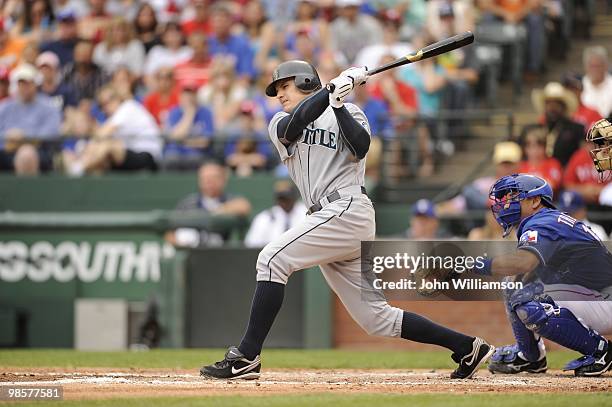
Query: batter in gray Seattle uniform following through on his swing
(323,143)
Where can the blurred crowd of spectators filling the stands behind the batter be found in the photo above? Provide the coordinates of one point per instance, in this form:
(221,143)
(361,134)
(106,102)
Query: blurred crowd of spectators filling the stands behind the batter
(88,86)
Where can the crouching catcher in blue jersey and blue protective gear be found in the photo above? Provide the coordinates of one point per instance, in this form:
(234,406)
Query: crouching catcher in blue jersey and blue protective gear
(570,301)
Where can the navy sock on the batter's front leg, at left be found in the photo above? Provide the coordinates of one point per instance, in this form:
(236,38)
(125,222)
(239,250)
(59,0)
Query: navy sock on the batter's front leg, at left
(267,301)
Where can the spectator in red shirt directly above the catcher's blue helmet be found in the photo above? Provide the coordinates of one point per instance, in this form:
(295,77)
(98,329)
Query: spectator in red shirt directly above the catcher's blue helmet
(536,161)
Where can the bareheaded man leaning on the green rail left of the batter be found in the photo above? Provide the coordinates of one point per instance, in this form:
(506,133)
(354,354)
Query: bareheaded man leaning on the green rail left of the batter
(212,199)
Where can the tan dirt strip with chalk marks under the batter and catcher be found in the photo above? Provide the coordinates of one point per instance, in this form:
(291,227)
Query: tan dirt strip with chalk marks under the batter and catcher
(104,383)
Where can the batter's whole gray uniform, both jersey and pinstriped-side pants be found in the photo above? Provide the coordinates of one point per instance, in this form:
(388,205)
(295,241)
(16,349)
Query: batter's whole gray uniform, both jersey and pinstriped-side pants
(320,163)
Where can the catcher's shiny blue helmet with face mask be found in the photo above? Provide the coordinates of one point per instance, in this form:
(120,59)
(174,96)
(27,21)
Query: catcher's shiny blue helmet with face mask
(508,192)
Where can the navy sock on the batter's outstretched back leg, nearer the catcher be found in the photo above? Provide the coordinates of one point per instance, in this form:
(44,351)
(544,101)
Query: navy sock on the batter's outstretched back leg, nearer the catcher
(420,329)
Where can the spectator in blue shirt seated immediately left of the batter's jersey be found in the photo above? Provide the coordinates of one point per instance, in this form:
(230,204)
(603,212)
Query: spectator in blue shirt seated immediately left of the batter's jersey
(247,148)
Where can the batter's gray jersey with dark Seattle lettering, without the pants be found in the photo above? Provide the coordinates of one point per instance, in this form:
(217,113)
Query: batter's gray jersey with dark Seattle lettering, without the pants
(319,162)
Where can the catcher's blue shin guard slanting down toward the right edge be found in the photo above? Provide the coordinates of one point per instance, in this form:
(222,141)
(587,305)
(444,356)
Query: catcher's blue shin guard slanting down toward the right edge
(559,325)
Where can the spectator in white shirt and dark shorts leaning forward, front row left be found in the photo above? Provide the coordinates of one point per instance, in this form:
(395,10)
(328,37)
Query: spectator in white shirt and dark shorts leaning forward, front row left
(128,140)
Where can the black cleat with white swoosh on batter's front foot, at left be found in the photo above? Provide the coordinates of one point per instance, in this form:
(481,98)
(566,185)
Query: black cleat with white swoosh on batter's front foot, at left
(234,366)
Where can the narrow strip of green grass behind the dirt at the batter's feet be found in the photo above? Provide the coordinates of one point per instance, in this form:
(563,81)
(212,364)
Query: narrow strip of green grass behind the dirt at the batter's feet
(272,358)
